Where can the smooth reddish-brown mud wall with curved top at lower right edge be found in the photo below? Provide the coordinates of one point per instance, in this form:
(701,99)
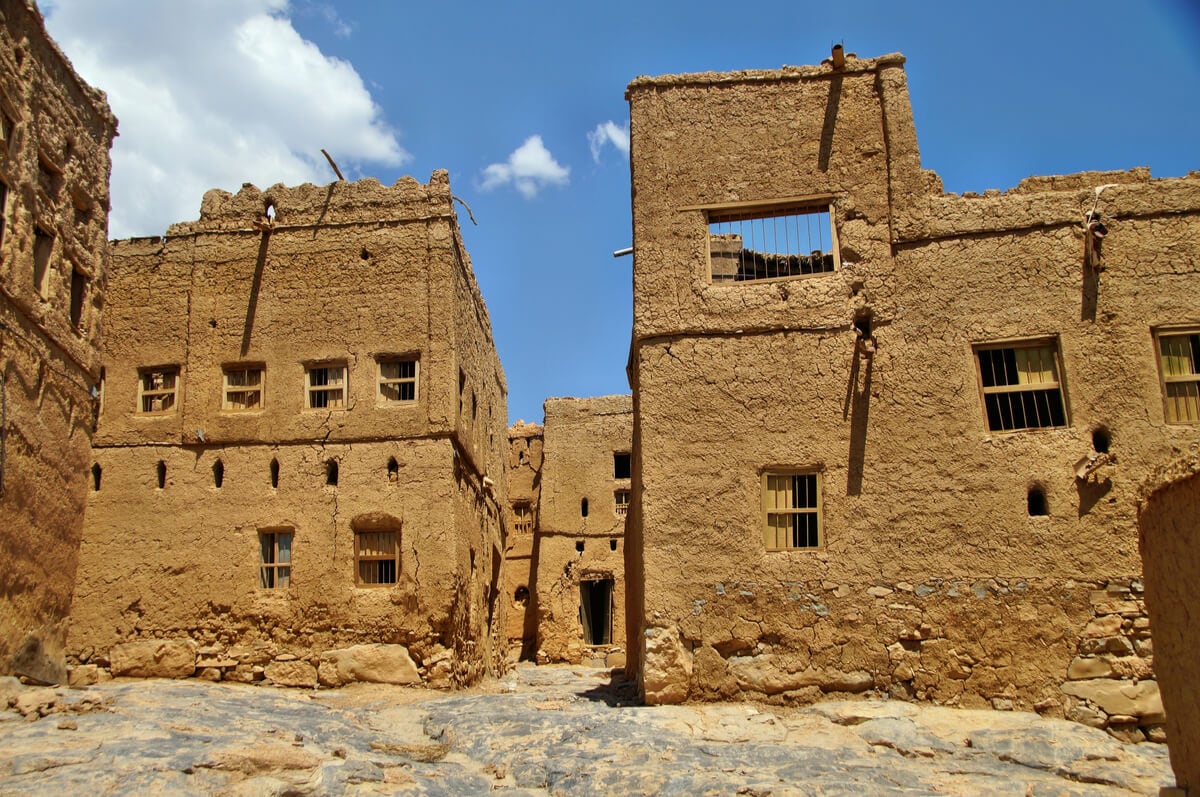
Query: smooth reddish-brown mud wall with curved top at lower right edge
(1171,548)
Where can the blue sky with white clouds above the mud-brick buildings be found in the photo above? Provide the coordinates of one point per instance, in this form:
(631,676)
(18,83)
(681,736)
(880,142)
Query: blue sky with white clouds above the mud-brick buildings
(524,104)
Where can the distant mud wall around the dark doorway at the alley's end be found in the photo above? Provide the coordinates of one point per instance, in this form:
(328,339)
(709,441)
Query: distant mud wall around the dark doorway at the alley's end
(581,436)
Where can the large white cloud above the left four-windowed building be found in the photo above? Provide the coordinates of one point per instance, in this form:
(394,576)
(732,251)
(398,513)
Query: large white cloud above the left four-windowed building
(213,95)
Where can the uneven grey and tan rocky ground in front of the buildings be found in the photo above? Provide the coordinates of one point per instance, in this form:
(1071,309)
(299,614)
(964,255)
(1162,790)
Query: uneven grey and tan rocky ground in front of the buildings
(557,730)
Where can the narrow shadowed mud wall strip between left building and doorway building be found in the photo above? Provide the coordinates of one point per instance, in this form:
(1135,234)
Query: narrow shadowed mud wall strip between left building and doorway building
(520,560)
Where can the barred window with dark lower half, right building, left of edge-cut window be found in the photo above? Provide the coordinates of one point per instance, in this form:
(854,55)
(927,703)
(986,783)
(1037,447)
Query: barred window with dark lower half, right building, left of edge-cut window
(1021,387)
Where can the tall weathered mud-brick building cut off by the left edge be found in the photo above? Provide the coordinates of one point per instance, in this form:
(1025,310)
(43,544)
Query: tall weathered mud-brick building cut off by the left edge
(55,169)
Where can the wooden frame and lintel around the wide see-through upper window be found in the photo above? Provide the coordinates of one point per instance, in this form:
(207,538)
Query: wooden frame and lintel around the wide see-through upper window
(801,266)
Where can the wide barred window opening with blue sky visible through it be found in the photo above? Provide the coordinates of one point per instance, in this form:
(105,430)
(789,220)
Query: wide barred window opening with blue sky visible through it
(771,243)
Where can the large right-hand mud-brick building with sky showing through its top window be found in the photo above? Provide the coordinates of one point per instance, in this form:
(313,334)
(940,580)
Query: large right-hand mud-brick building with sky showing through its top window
(889,439)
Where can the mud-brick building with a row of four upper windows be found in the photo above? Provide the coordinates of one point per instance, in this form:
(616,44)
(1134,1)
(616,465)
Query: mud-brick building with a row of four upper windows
(301,464)
